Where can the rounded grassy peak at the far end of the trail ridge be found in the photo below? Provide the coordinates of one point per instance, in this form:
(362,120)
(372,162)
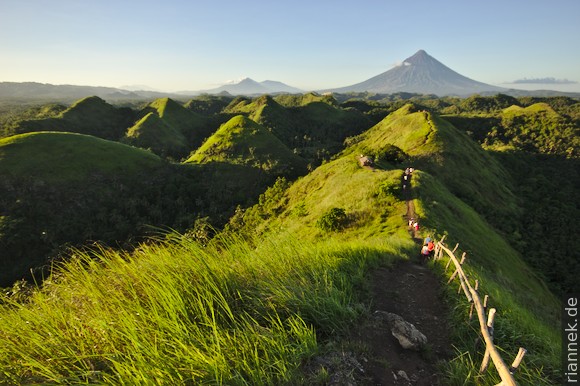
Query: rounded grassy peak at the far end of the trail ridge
(434,144)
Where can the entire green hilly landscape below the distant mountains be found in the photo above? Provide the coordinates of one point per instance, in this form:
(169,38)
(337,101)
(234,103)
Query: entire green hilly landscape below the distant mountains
(237,240)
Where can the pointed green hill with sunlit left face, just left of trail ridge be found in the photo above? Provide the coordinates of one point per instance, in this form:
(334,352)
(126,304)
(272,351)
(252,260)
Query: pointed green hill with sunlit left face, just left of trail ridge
(243,141)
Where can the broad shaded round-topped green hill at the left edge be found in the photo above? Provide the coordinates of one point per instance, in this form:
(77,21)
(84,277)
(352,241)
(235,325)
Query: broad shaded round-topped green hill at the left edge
(59,188)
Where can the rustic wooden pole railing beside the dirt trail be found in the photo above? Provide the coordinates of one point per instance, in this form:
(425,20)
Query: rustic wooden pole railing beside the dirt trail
(486,324)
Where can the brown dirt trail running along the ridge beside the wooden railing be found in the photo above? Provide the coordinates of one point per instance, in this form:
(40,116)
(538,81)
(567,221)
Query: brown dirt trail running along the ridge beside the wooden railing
(412,291)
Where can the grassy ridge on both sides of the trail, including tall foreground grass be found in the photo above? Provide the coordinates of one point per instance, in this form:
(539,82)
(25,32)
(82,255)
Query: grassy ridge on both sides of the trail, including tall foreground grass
(231,308)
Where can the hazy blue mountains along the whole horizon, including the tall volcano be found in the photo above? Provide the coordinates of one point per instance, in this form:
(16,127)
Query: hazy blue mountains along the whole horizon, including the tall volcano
(418,74)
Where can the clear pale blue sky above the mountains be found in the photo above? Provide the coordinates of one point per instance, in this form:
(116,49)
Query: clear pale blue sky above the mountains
(190,45)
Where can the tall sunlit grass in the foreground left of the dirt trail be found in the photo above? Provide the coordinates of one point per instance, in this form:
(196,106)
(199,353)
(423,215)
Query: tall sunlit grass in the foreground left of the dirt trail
(174,312)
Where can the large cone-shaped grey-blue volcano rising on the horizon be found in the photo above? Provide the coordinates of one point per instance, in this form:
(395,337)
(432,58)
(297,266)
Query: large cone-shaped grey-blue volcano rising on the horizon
(421,74)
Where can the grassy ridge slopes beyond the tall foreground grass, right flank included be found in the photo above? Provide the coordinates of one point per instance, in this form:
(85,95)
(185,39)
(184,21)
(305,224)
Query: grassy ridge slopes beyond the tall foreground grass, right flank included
(527,311)
